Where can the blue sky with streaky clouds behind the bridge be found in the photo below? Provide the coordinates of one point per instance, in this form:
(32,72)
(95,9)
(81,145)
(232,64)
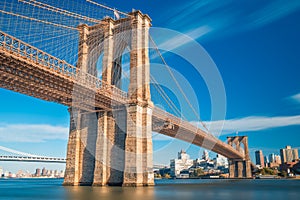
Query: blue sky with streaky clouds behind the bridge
(255,45)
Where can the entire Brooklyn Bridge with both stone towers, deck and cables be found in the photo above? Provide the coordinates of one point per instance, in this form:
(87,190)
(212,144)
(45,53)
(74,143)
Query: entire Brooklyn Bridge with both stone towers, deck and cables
(110,137)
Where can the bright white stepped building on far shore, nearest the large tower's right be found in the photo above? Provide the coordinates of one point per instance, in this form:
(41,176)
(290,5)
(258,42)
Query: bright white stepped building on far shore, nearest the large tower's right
(182,163)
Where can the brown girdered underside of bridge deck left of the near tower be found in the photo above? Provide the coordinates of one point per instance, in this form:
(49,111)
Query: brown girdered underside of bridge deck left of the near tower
(24,76)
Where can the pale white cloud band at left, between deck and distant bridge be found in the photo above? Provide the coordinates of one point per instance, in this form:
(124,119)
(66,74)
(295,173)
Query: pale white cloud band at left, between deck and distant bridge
(32,132)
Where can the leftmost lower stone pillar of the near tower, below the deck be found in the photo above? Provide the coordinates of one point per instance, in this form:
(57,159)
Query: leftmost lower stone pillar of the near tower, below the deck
(81,148)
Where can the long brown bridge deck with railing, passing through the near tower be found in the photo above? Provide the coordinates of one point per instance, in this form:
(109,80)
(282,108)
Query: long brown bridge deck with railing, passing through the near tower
(28,70)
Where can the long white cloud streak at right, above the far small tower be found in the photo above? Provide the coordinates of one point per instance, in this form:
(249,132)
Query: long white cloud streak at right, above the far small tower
(252,123)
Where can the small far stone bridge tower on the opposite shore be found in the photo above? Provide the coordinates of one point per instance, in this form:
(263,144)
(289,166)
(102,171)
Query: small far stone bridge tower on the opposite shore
(240,168)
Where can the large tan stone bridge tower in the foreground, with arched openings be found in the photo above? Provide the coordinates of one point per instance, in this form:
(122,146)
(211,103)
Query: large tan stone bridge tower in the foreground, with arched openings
(113,146)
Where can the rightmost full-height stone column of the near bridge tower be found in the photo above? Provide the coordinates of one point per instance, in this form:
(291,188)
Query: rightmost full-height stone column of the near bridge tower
(138,145)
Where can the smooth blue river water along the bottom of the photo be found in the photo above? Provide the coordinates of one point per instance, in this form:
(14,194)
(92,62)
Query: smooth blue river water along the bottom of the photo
(183,189)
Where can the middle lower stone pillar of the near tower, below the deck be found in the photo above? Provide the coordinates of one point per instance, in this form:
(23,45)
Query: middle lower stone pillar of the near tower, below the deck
(110,144)
